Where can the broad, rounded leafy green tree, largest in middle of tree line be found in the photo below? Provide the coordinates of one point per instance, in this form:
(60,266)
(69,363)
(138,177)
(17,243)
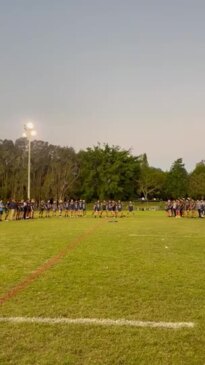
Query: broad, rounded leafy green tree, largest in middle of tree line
(108,172)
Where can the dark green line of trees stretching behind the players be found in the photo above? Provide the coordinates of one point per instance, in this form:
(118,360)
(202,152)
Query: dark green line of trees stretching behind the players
(99,172)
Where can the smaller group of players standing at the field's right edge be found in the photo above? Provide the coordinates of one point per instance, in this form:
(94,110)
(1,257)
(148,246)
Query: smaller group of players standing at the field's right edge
(185,208)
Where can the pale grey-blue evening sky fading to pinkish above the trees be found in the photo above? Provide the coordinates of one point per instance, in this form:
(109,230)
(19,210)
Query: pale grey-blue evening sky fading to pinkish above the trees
(127,73)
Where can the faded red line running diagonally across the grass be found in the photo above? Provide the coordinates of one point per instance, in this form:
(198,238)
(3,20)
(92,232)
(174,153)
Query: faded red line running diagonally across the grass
(46,266)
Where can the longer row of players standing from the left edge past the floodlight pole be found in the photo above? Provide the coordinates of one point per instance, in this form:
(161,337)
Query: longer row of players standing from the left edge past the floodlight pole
(28,209)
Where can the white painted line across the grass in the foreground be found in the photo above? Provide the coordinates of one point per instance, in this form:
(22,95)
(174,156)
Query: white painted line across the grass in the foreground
(99,322)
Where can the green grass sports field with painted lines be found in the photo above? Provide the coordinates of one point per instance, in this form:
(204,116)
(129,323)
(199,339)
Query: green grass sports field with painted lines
(147,268)
